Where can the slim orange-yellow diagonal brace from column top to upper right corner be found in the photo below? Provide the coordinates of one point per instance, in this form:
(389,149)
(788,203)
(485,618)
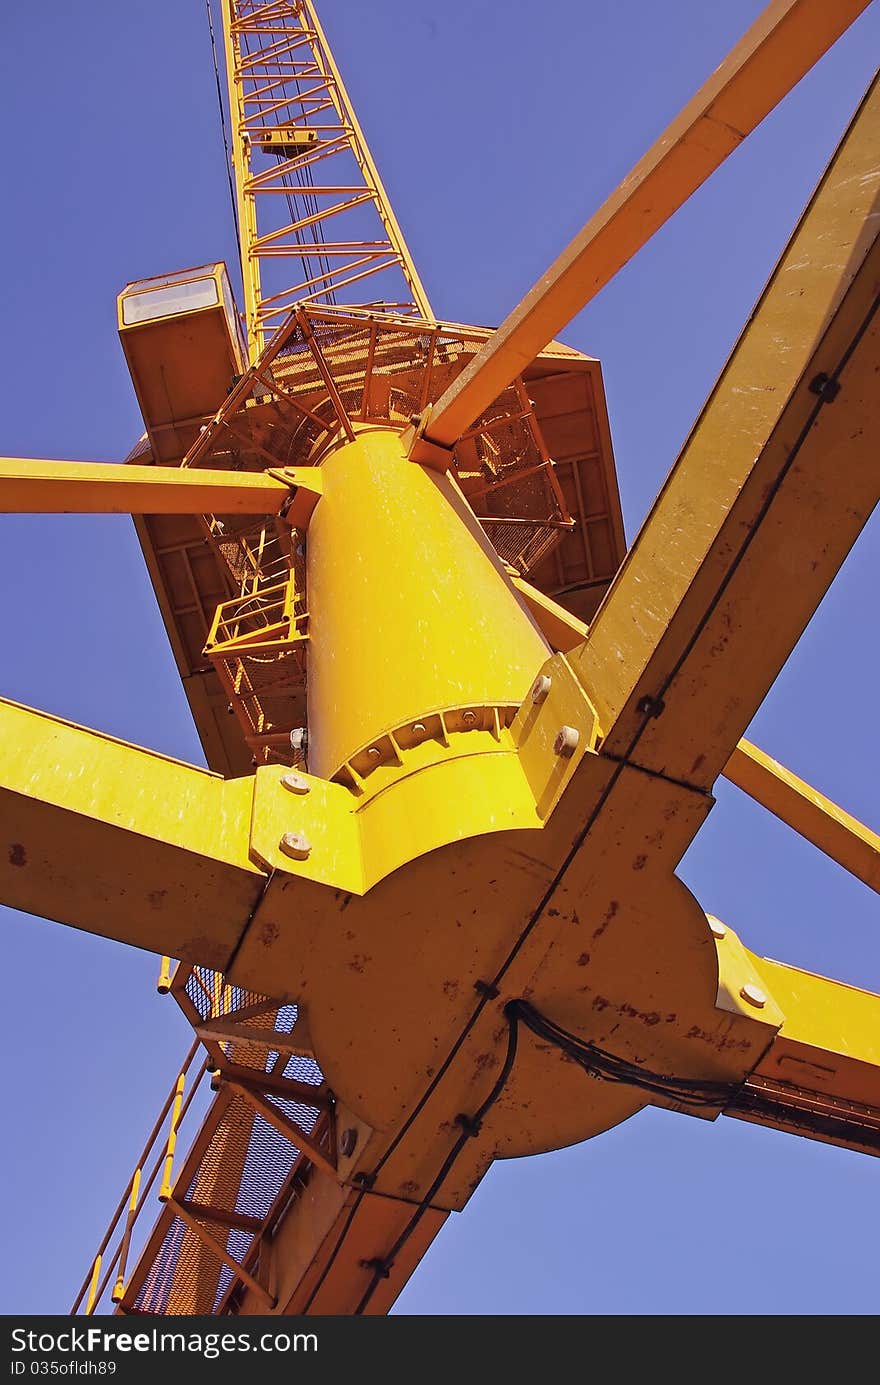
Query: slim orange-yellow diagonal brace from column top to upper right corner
(773,57)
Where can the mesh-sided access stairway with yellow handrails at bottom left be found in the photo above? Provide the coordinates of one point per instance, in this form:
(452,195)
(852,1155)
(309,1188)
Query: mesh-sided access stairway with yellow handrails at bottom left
(268,1125)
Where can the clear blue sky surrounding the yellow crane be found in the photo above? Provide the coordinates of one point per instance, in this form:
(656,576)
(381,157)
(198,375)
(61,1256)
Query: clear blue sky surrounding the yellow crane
(498,131)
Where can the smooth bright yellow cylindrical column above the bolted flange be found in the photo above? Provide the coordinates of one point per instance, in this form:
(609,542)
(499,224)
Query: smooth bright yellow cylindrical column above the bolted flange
(411,611)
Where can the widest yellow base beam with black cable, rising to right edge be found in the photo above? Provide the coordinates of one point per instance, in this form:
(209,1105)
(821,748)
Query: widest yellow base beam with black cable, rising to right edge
(764,503)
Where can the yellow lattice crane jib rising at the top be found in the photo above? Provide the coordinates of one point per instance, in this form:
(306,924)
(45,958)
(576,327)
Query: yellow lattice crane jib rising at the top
(315,222)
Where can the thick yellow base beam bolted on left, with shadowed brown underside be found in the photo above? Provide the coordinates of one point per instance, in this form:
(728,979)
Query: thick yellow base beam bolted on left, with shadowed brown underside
(123,841)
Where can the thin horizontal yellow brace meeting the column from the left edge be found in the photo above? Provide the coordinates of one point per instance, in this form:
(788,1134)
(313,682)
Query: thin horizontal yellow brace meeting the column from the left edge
(38,487)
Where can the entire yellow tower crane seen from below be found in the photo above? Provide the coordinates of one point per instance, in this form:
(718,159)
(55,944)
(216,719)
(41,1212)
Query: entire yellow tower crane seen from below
(461,738)
